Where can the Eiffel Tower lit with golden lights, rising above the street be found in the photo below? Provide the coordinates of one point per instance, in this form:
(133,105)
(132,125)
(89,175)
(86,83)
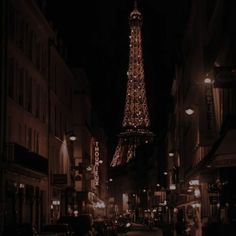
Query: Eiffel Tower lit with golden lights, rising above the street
(136,123)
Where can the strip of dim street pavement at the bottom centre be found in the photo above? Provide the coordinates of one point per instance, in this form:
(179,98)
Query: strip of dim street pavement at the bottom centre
(141,230)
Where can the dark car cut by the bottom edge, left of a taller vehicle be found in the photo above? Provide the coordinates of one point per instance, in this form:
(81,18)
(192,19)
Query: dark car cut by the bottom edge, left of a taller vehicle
(56,230)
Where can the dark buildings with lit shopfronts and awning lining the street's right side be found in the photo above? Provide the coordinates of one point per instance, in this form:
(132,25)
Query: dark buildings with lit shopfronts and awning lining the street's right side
(202,126)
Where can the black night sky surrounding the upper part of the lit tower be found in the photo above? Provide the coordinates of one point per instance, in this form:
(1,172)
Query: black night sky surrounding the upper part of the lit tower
(97,37)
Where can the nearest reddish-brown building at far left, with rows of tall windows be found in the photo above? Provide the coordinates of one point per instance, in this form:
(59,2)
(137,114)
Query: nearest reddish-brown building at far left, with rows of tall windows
(25,150)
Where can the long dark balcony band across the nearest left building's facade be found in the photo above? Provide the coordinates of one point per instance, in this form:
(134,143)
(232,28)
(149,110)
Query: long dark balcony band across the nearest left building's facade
(21,156)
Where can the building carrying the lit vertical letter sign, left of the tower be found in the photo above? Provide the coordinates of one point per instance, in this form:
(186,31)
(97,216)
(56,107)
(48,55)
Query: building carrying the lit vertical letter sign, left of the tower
(89,151)
